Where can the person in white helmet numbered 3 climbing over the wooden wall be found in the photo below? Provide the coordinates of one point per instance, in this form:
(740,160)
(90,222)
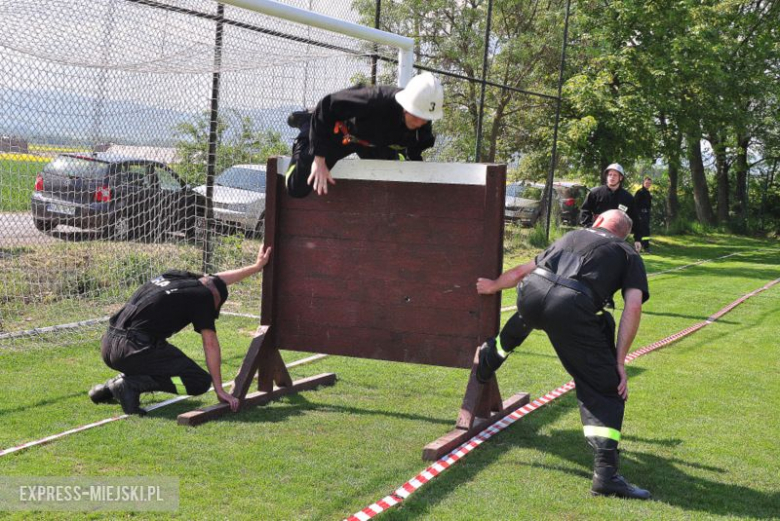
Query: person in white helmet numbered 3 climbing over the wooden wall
(374,122)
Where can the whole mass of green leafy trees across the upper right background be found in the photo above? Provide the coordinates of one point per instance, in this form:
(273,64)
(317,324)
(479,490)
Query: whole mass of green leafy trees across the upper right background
(646,81)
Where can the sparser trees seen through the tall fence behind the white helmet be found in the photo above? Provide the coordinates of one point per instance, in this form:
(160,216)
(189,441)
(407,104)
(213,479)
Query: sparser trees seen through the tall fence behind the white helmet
(523,53)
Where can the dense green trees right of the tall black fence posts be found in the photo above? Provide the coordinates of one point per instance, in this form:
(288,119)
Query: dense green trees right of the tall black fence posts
(684,66)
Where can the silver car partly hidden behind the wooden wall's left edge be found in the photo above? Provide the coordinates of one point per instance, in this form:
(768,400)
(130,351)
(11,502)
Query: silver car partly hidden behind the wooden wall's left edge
(239,198)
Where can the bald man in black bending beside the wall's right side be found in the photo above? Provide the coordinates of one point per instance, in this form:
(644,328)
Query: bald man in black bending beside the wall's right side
(563,292)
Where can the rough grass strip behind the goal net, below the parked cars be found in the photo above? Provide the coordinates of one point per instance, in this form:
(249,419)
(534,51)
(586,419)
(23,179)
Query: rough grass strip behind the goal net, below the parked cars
(99,276)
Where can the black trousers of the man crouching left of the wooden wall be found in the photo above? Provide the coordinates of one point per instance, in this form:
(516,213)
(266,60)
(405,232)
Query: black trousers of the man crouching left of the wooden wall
(133,353)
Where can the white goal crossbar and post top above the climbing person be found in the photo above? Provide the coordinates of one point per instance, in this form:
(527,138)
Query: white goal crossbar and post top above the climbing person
(404,44)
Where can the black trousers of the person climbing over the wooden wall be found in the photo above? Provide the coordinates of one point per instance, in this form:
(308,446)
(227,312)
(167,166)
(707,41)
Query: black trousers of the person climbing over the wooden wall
(299,171)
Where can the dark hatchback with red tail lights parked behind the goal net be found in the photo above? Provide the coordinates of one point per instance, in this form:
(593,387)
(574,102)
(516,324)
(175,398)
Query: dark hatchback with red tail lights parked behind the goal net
(122,197)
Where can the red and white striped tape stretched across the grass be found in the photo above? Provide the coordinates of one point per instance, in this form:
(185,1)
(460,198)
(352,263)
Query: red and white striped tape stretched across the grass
(414,484)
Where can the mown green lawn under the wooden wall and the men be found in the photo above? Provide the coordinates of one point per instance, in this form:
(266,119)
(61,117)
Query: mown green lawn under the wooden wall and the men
(701,432)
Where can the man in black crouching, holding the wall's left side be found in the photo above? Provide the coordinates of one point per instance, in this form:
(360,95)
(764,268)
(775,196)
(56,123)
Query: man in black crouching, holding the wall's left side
(136,344)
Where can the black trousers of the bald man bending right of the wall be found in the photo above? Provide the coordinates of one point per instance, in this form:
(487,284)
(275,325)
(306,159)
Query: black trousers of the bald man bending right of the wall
(584,341)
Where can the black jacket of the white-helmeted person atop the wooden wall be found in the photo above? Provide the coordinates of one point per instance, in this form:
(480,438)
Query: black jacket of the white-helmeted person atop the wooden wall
(372,114)
